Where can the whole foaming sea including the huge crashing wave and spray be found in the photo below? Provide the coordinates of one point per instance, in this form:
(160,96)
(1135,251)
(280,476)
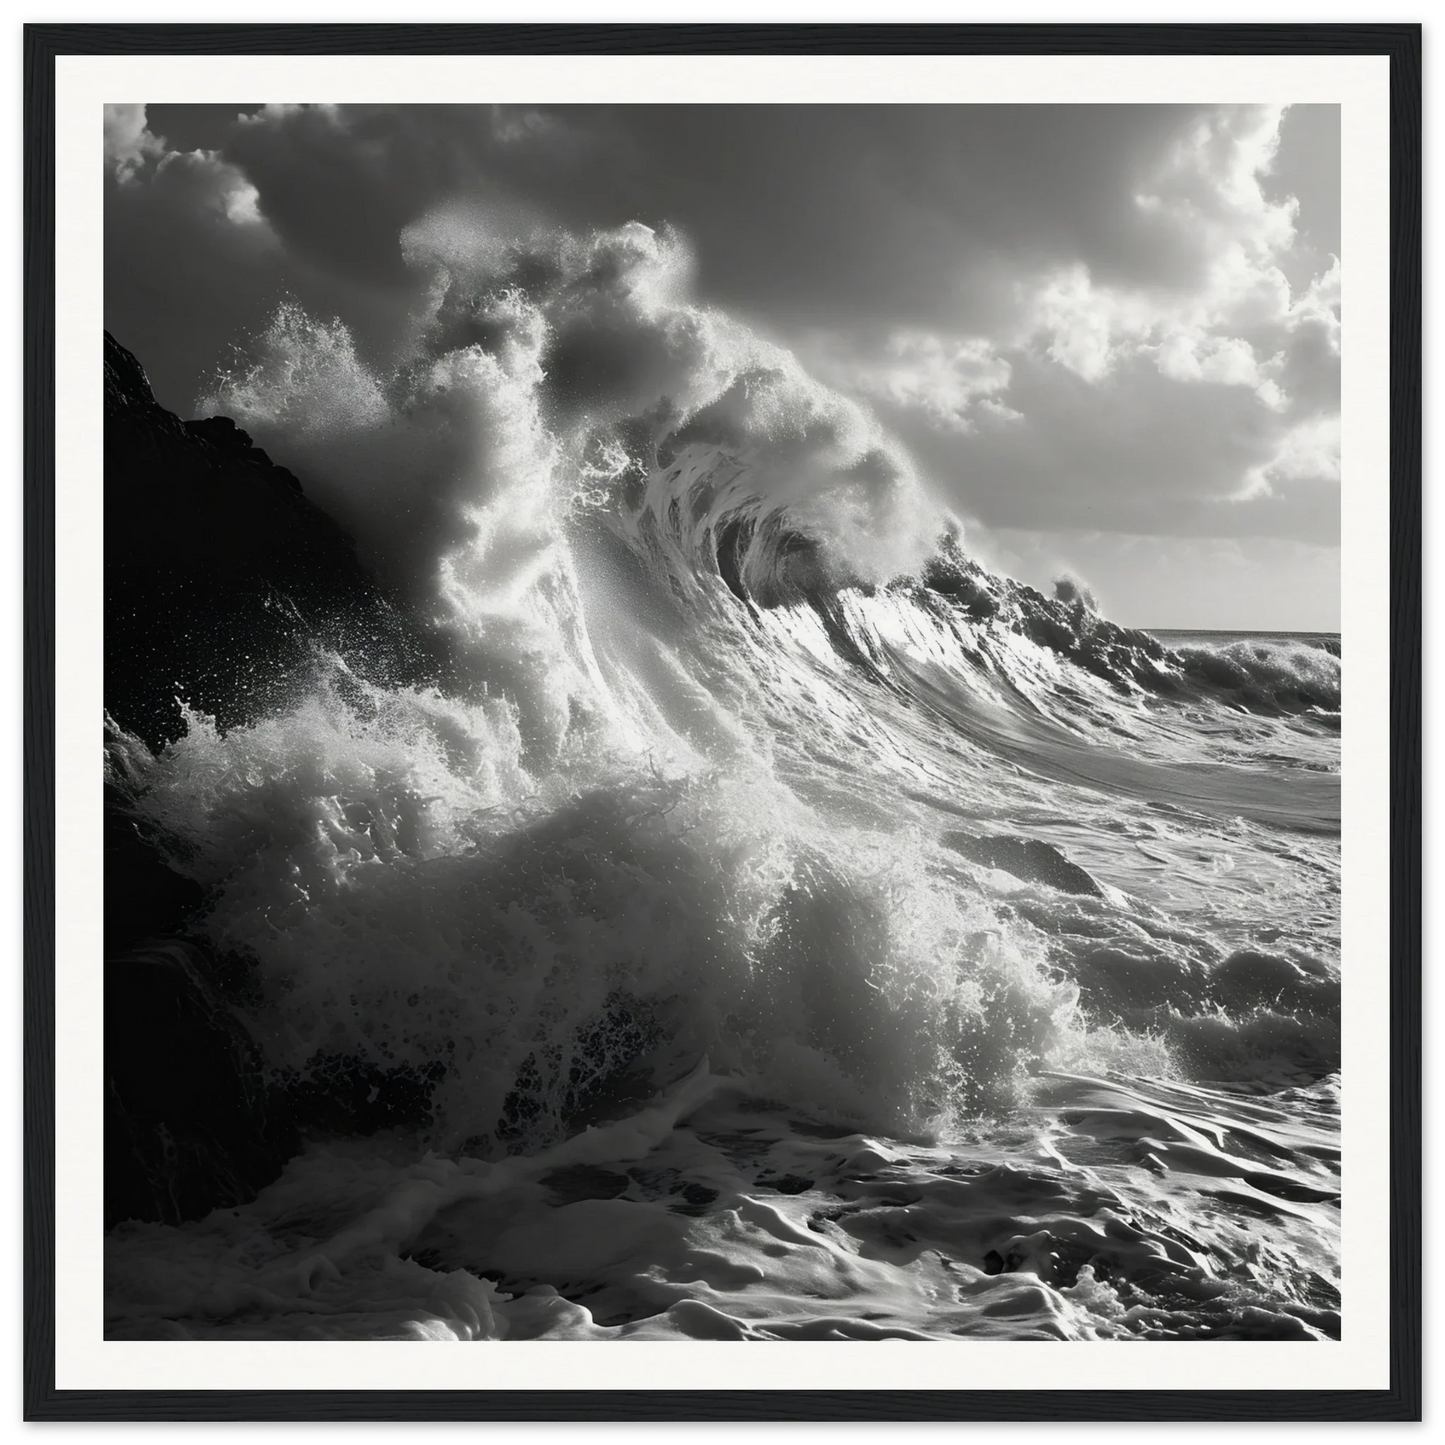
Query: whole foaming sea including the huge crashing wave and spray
(800,931)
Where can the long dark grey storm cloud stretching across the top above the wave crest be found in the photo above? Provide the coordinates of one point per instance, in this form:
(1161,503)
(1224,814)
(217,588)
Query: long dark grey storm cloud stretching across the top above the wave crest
(801,215)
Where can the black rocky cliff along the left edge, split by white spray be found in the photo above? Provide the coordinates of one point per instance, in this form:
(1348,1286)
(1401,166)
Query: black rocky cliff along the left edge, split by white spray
(223,582)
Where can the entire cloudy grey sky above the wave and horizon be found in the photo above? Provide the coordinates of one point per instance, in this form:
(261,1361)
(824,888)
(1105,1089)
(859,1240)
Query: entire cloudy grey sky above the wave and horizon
(1108,335)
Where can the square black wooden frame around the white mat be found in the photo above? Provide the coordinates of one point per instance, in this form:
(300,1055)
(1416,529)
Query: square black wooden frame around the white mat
(43,1405)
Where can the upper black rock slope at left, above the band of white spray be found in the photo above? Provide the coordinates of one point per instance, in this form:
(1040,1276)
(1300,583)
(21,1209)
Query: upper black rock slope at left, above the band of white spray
(222,577)
